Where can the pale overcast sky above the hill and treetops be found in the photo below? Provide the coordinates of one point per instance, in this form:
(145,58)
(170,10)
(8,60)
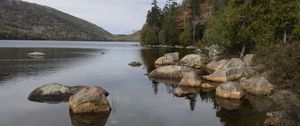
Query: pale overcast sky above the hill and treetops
(116,16)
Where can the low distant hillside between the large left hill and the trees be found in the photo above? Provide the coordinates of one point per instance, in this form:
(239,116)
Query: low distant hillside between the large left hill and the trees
(132,37)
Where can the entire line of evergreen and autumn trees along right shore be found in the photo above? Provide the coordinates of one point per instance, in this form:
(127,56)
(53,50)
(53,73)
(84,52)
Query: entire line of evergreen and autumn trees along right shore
(268,28)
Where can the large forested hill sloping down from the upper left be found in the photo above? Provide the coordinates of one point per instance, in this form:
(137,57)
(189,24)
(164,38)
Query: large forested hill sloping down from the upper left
(24,20)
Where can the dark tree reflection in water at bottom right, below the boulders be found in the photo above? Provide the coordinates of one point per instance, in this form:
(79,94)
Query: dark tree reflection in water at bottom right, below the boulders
(246,115)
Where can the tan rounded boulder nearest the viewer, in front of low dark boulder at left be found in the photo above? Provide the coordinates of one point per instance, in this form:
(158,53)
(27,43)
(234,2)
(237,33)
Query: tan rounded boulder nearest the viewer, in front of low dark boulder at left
(89,100)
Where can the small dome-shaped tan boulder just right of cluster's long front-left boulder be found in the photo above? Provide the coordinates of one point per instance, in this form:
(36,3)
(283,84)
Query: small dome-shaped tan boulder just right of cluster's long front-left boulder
(191,80)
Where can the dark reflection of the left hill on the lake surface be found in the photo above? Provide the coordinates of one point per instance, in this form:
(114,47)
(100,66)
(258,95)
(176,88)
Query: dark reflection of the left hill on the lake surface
(15,61)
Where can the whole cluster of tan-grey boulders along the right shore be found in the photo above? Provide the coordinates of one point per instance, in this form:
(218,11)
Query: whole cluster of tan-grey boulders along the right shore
(232,78)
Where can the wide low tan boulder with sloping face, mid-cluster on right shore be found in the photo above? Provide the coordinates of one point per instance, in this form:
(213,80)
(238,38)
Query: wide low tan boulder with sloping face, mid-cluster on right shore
(224,75)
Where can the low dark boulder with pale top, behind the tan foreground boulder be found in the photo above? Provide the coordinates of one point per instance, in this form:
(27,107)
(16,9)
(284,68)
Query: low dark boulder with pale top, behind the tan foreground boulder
(55,92)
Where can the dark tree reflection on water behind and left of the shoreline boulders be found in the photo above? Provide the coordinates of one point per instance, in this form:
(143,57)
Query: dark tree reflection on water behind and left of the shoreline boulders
(149,55)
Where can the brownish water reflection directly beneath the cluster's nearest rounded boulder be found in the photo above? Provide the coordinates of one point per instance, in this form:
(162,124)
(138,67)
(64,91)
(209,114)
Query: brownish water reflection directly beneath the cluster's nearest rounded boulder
(228,104)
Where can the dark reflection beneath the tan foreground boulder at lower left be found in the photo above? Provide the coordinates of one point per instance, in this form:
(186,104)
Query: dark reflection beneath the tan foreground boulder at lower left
(97,119)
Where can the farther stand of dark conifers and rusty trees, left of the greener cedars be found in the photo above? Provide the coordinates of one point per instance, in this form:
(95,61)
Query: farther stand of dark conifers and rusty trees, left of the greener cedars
(175,24)
